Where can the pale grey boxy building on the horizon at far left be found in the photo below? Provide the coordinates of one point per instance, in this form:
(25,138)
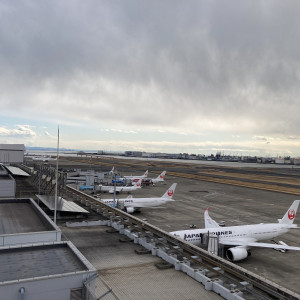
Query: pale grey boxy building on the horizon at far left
(12,153)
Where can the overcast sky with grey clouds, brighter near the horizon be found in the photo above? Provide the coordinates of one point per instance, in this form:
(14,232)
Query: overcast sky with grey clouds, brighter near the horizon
(169,76)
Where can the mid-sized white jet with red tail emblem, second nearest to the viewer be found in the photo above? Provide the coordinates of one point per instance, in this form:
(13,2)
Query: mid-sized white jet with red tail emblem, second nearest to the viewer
(131,204)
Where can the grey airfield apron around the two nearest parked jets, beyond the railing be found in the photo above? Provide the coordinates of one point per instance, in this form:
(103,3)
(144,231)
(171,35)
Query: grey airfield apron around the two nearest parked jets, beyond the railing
(235,206)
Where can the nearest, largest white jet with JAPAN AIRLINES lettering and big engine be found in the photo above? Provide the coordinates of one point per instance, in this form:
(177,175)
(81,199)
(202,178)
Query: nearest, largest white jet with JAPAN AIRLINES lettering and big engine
(239,239)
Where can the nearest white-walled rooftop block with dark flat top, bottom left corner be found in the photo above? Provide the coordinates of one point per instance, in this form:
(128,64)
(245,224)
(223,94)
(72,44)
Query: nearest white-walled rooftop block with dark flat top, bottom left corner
(44,271)
